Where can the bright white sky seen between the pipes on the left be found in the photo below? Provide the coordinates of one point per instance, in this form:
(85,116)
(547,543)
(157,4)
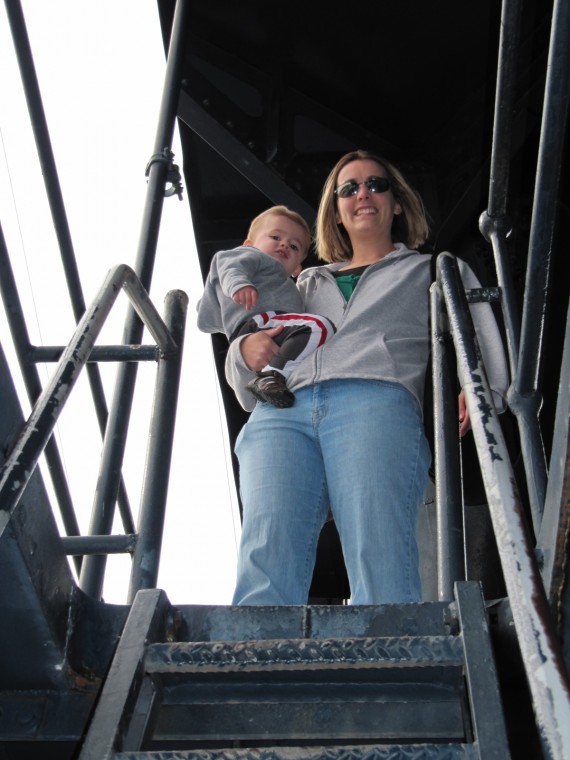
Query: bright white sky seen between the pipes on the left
(100,67)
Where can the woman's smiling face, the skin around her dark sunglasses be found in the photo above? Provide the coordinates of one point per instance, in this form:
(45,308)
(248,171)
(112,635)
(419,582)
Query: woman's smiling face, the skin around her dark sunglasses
(366,212)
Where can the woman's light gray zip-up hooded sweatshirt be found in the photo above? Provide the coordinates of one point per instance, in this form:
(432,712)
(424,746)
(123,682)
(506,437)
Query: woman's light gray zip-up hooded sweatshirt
(382,331)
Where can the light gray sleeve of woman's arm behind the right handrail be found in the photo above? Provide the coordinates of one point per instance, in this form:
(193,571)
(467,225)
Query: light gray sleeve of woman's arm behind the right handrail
(490,341)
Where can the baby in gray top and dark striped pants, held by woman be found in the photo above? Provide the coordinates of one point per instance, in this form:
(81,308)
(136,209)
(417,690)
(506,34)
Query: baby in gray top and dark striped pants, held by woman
(251,288)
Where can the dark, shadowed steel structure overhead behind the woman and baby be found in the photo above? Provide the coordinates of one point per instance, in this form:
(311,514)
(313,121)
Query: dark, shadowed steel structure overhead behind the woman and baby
(269,101)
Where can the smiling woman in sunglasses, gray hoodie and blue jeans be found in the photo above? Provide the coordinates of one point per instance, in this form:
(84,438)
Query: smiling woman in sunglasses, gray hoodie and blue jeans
(354,441)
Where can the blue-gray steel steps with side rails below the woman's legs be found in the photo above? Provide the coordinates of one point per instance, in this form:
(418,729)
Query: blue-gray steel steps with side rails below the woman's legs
(397,681)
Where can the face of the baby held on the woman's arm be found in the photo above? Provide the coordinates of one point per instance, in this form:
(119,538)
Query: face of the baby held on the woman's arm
(284,240)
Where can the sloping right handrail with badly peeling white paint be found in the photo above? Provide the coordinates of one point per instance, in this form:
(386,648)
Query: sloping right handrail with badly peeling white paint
(542,658)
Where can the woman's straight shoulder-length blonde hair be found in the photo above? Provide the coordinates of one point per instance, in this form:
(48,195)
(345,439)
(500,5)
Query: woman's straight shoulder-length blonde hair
(410,227)
